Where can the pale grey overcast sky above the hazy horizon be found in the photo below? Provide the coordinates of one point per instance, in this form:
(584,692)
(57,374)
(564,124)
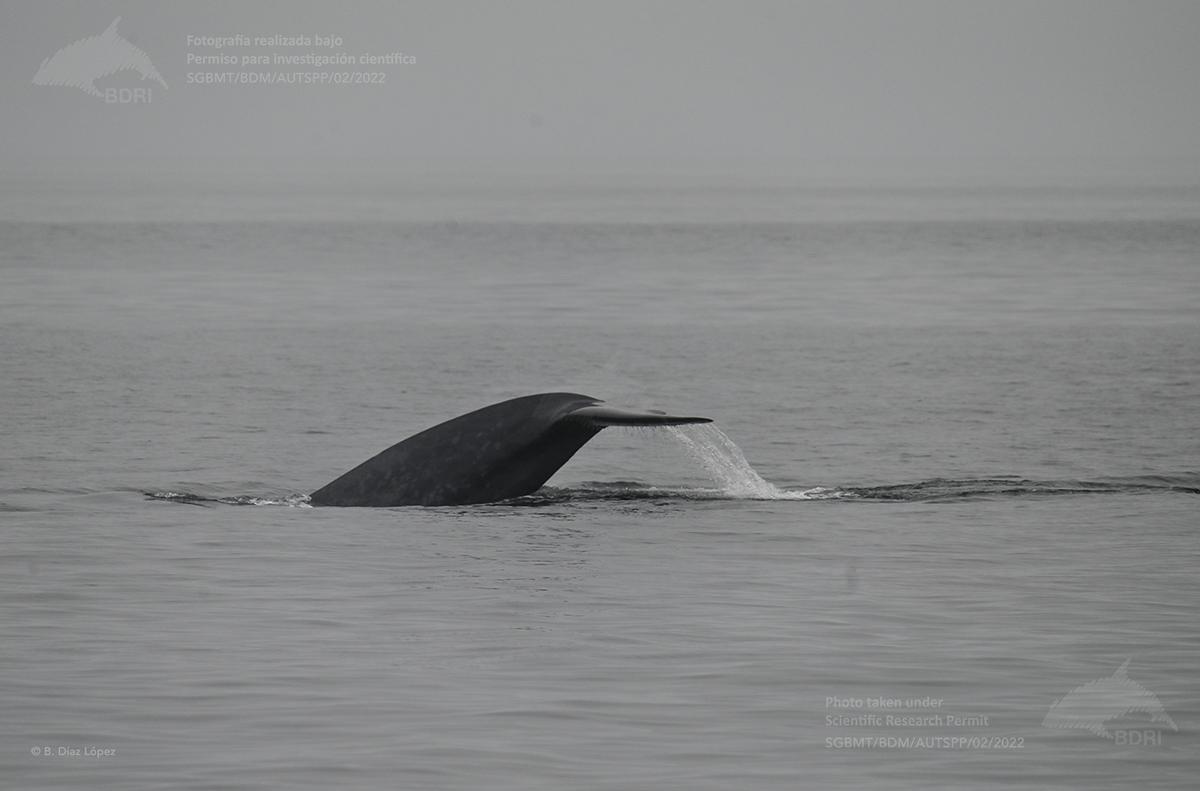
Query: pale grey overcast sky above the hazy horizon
(561,82)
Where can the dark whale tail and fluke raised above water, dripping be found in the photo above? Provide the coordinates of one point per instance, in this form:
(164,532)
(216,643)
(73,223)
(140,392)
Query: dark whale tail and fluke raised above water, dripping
(501,452)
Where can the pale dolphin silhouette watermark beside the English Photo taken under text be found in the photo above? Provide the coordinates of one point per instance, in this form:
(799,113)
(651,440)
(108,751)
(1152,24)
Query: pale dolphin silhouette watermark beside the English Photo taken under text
(1094,705)
